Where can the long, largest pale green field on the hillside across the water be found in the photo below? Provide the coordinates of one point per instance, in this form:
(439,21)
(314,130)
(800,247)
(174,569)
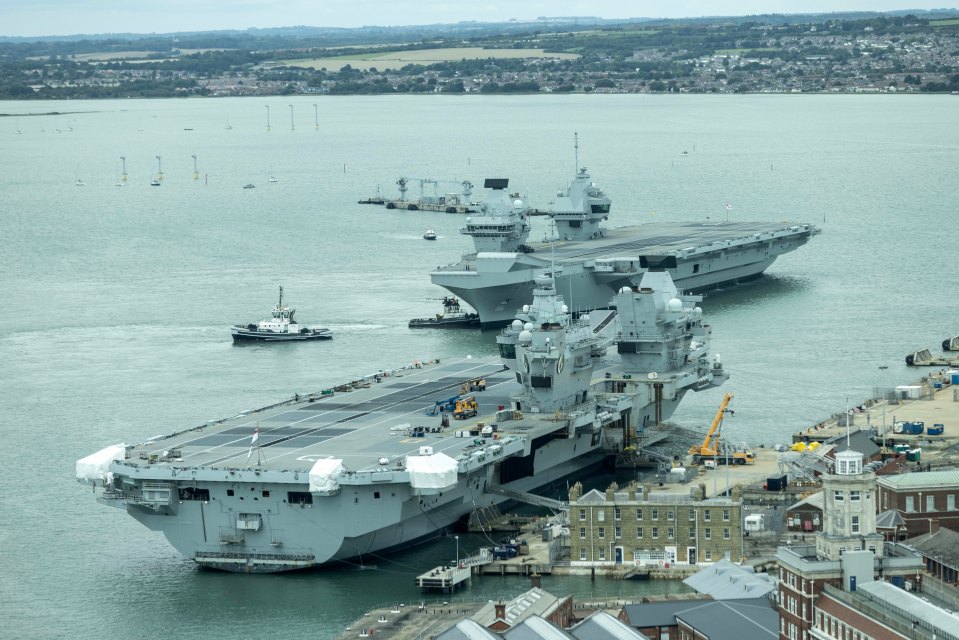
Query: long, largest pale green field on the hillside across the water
(398,59)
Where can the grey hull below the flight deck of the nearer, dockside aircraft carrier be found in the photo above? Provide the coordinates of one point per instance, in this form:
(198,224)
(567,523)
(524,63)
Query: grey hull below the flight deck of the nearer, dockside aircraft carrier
(353,527)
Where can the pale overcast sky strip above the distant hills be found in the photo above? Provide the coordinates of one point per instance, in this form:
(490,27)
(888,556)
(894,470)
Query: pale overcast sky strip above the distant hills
(67,17)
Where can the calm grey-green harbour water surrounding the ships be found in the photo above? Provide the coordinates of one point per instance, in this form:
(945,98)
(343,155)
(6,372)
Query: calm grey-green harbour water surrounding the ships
(116,301)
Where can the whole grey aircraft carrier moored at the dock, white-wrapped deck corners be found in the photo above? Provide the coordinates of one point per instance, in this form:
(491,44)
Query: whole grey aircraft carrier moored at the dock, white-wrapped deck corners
(347,476)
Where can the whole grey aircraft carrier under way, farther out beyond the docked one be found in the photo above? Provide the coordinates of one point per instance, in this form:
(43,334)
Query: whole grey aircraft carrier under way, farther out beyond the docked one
(592,262)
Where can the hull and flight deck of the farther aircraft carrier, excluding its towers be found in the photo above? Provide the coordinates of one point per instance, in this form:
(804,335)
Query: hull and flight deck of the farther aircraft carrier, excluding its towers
(497,284)
